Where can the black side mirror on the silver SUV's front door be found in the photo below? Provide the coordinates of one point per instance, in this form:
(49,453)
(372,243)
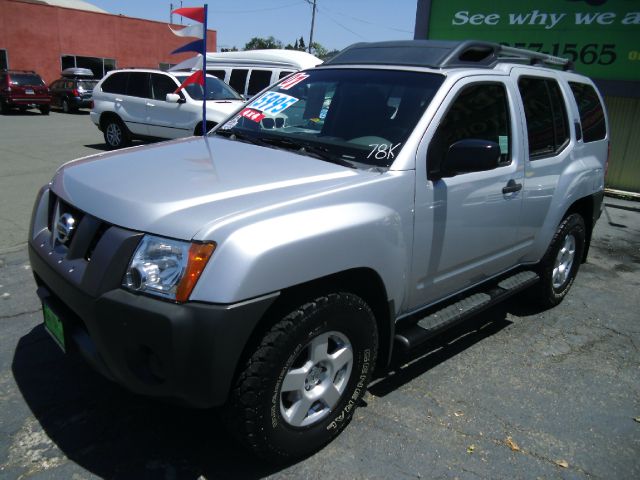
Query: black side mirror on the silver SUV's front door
(471,155)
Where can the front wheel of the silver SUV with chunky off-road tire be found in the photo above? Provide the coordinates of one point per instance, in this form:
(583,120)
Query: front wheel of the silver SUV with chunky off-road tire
(263,415)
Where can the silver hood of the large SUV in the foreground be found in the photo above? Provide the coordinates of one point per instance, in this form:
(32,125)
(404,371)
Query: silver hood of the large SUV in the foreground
(177,188)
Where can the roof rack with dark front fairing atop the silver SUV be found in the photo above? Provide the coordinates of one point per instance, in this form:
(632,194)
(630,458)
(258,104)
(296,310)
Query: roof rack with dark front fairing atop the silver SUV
(442,54)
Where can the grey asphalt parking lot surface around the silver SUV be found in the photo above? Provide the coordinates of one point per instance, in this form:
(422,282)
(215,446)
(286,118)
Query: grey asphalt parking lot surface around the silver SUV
(514,393)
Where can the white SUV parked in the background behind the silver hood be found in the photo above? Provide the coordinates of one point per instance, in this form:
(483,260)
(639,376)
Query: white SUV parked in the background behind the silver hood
(141,103)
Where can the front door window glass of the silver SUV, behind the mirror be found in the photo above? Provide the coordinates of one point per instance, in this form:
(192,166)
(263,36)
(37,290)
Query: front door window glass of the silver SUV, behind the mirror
(479,112)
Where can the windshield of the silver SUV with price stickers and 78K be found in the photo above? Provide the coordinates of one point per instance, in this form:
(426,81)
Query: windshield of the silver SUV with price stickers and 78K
(360,117)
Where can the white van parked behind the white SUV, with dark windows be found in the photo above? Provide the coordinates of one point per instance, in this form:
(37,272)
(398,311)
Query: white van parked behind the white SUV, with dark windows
(249,72)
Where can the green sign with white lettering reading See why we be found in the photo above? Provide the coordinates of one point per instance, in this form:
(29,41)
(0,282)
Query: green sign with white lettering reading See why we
(602,37)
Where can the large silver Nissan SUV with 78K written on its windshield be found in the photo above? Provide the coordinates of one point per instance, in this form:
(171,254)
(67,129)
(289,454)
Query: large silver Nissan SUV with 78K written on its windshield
(352,210)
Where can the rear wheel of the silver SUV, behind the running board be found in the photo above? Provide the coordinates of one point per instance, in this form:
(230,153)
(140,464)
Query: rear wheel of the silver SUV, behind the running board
(559,266)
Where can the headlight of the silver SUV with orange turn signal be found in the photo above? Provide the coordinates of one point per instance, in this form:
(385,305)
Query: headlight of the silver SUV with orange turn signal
(167,268)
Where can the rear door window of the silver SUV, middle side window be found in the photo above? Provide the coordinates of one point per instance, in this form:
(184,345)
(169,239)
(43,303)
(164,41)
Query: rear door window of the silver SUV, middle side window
(546,116)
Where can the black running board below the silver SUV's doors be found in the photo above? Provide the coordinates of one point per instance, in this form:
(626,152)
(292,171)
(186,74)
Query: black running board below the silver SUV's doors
(413,334)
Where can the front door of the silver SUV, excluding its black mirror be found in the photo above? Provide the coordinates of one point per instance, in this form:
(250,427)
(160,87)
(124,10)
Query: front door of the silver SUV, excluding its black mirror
(466,225)
